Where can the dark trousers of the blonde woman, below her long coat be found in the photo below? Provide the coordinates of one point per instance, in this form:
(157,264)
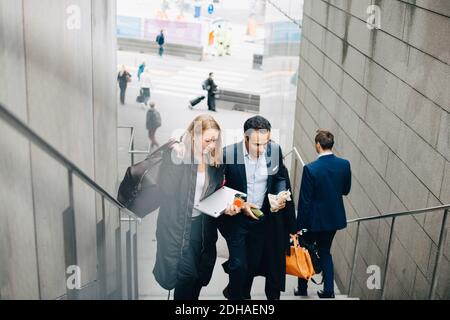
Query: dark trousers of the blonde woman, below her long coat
(188,284)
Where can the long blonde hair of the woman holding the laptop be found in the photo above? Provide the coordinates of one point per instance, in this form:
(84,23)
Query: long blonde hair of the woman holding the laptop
(194,137)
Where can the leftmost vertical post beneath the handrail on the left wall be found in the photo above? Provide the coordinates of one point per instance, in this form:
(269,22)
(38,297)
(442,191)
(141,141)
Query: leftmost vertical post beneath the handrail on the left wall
(70,241)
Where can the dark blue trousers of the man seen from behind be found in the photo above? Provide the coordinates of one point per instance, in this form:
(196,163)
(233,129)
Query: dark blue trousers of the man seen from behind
(324,241)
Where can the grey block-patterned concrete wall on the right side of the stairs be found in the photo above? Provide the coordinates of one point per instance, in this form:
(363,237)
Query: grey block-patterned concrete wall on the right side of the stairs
(385,95)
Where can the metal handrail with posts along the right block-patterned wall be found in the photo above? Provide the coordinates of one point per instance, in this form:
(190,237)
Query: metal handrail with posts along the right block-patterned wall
(442,235)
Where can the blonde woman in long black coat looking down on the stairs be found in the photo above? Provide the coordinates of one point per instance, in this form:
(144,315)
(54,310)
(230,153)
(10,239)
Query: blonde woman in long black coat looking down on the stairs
(186,238)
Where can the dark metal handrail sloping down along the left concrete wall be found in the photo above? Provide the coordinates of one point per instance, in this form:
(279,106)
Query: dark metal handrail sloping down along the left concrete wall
(26,131)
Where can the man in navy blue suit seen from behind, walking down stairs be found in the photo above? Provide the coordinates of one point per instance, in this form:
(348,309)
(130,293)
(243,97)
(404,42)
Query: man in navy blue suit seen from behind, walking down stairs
(321,207)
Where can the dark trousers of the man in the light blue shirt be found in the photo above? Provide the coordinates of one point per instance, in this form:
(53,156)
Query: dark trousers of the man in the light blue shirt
(246,242)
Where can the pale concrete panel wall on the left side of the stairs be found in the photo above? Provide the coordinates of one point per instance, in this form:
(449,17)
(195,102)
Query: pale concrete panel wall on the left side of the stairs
(61,82)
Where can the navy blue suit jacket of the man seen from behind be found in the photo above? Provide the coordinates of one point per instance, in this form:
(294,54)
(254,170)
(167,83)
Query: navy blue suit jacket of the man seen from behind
(324,182)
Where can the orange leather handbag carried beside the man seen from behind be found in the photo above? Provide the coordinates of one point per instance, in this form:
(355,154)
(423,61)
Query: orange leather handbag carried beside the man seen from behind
(299,263)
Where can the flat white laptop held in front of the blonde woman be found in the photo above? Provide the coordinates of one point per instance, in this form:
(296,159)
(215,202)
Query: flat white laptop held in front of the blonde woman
(215,204)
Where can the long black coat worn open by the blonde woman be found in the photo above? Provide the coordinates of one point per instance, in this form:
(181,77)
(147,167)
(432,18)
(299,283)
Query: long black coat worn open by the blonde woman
(178,183)
